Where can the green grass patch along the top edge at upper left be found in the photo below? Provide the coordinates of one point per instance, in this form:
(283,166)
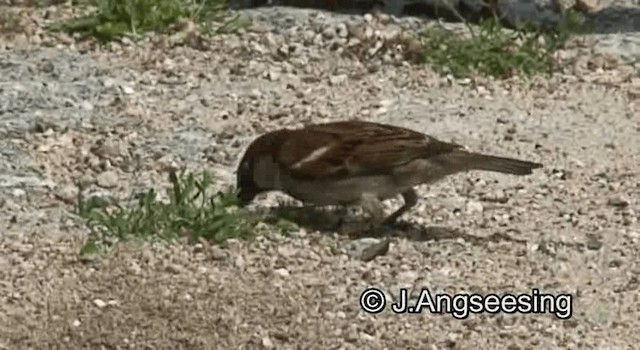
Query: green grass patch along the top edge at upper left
(113,19)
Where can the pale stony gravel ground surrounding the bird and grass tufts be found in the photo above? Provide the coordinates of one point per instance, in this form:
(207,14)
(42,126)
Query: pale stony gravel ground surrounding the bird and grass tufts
(115,119)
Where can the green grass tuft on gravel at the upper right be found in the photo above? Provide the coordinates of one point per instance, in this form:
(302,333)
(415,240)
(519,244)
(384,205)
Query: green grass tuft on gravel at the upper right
(492,50)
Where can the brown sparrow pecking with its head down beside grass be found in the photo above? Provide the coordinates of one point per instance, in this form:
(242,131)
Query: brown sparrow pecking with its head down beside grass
(357,163)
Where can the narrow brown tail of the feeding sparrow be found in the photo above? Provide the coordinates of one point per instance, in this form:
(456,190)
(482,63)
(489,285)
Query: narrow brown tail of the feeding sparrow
(478,161)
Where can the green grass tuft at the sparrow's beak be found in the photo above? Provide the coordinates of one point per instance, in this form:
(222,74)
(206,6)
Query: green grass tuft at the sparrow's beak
(190,212)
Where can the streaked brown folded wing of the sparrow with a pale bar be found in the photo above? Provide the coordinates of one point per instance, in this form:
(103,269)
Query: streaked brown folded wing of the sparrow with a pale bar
(355,148)
